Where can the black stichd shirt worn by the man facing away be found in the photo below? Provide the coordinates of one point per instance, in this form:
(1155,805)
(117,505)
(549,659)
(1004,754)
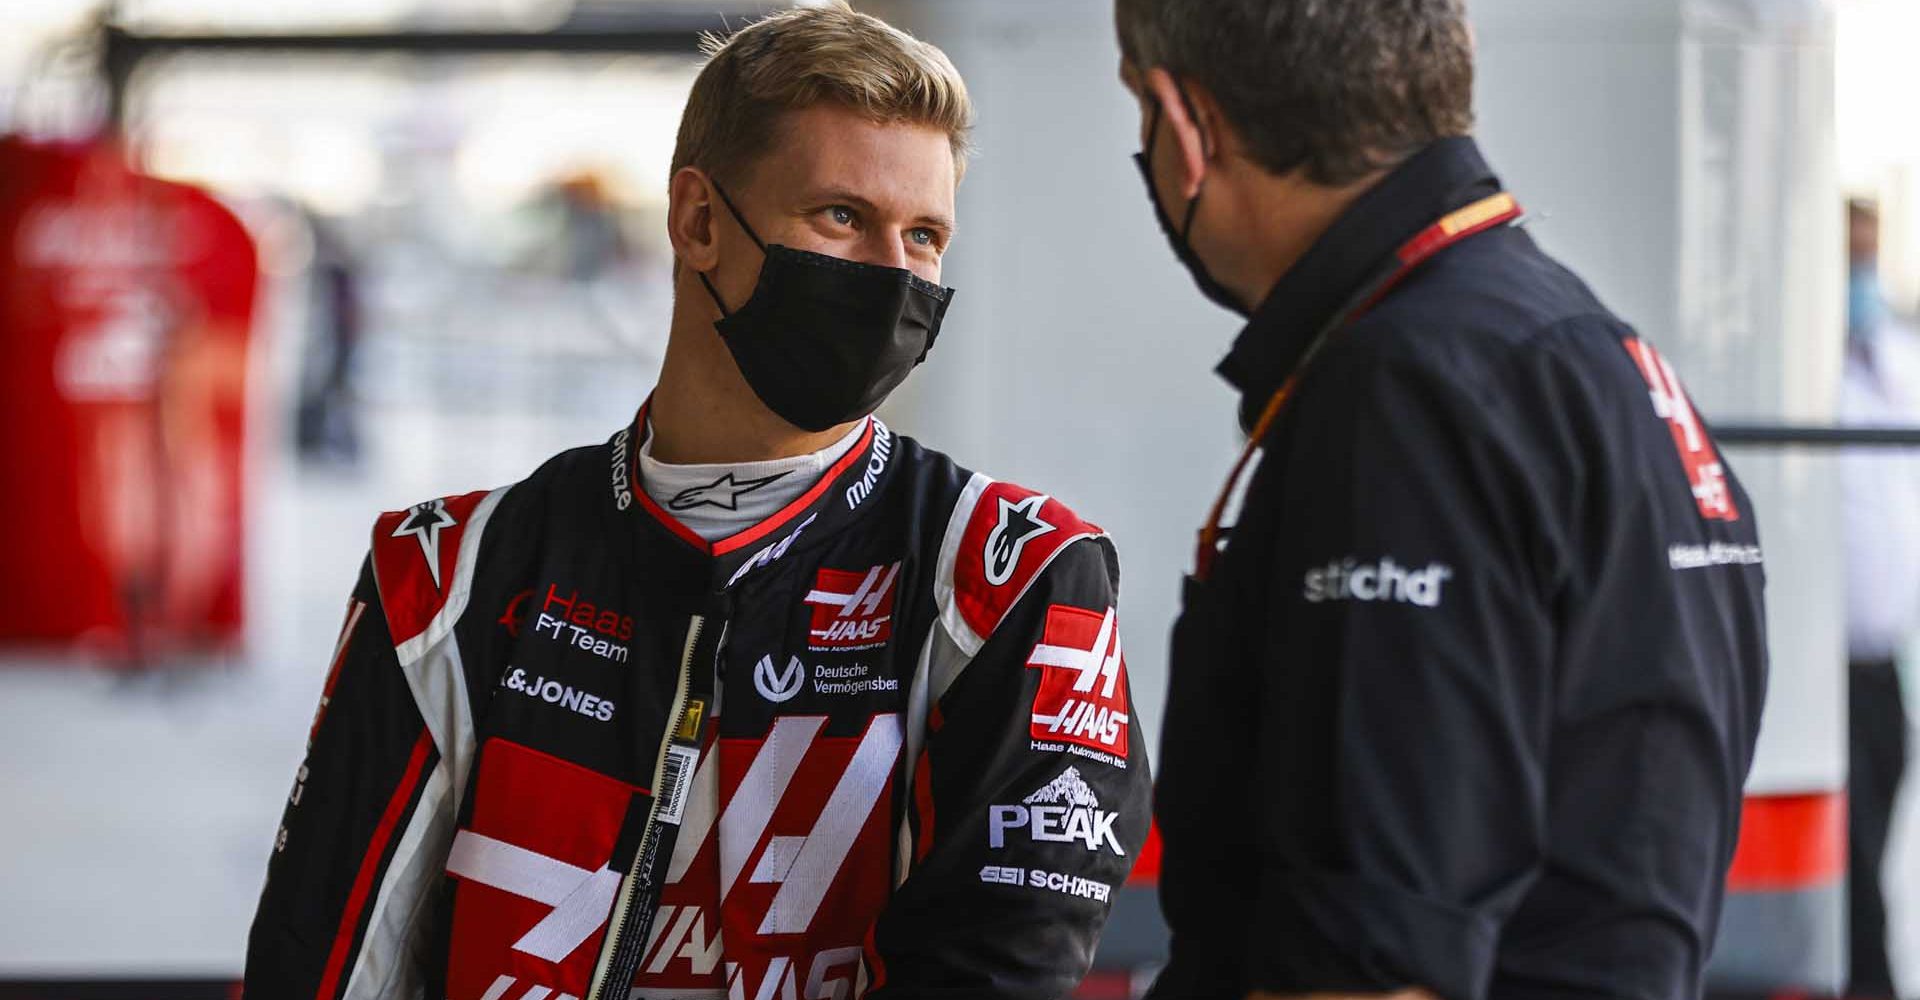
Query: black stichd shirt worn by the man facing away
(1470,698)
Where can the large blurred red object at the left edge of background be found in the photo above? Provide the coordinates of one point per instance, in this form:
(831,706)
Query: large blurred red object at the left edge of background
(126,306)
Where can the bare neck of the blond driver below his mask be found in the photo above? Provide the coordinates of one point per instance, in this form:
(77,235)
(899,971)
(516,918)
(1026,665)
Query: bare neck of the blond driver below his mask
(706,414)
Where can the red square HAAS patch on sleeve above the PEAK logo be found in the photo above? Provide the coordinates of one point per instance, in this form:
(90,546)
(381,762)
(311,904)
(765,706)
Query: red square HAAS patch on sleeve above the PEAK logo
(1084,682)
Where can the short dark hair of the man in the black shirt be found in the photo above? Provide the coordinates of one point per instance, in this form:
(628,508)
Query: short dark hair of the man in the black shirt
(1335,89)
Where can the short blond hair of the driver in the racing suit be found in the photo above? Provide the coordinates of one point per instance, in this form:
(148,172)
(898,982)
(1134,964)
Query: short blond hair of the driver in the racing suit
(802,59)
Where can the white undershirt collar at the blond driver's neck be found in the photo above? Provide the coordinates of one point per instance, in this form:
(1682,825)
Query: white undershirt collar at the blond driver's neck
(729,498)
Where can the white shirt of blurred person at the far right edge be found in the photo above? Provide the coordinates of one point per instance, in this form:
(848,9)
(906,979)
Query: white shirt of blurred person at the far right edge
(1881,387)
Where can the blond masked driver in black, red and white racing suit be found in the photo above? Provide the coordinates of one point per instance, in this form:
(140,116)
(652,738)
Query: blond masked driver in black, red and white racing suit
(757,700)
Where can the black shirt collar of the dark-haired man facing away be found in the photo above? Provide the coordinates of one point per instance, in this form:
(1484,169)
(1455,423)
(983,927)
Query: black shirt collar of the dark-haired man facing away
(1439,179)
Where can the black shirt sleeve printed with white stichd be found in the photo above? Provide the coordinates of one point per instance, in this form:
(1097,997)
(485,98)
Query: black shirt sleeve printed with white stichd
(1404,688)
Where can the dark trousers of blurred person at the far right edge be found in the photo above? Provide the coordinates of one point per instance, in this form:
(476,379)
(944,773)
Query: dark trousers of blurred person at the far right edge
(1877,761)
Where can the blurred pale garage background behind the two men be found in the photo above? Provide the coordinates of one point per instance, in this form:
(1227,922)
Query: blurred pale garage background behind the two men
(268,270)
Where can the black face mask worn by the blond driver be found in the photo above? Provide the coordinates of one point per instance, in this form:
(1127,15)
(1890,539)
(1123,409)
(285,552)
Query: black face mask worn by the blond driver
(825,341)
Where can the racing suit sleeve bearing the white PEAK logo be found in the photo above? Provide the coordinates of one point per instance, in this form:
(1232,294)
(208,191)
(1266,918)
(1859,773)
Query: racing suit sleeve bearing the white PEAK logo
(1030,801)
